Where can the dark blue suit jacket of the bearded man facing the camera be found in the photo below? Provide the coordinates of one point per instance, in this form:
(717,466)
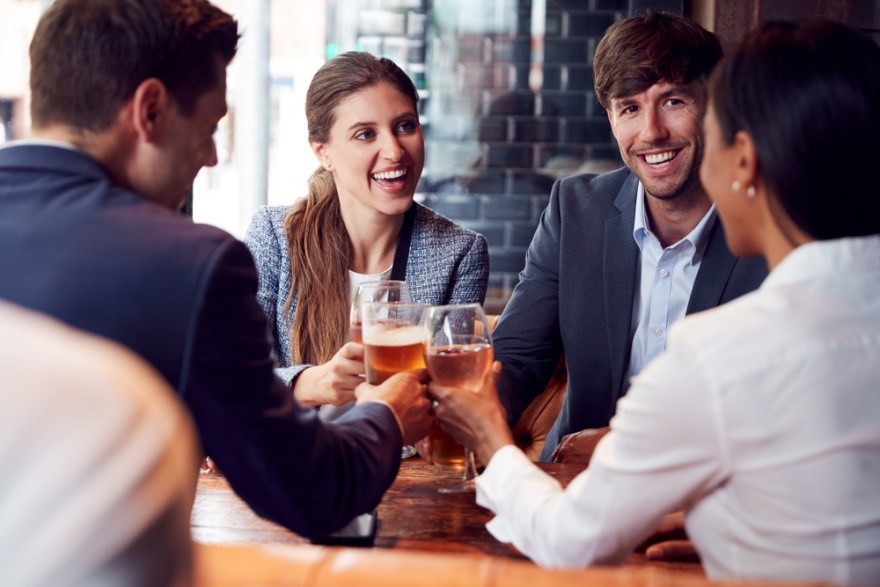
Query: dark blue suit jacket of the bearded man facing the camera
(575,295)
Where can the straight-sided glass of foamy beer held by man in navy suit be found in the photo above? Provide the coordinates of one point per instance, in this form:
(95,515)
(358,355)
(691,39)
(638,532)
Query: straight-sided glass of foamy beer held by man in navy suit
(394,341)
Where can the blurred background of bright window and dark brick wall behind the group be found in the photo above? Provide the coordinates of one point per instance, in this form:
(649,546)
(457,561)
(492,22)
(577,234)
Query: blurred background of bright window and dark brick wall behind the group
(506,97)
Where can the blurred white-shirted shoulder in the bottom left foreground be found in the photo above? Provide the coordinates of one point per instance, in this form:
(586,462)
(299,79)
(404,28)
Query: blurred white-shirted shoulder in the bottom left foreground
(98,462)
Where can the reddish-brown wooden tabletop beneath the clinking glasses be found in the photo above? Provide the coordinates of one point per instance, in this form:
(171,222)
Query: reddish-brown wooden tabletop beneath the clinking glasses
(413,515)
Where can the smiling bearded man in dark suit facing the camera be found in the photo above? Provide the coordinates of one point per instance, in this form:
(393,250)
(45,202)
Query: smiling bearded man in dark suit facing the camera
(617,258)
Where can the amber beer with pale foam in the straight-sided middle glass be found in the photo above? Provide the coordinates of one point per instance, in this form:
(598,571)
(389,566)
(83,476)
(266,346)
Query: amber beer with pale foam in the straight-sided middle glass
(390,350)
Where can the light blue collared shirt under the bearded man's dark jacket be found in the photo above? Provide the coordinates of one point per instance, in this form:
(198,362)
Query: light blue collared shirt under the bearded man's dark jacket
(666,278)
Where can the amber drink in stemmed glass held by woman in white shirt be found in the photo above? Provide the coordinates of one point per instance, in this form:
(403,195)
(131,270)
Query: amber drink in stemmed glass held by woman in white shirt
(456,365)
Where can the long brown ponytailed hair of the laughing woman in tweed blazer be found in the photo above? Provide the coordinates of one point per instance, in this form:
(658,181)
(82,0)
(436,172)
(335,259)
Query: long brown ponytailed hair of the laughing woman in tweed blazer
(320,248)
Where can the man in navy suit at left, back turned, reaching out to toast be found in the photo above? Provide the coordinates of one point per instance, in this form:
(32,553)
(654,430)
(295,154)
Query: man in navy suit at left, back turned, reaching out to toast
(126,96)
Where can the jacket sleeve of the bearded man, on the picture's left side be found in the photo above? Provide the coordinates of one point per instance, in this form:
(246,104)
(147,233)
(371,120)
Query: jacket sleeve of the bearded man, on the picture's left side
(527,338)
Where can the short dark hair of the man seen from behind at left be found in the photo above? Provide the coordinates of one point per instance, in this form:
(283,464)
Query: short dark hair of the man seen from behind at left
(89,56)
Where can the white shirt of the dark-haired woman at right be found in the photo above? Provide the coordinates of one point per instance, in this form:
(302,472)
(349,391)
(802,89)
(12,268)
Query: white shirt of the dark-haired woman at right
(762,420)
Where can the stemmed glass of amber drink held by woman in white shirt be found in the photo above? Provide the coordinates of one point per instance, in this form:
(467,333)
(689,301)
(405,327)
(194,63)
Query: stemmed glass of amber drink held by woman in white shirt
(458,353)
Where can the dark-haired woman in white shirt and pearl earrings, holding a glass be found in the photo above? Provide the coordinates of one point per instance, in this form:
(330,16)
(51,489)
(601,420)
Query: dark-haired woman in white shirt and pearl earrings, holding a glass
(762,418)
